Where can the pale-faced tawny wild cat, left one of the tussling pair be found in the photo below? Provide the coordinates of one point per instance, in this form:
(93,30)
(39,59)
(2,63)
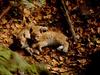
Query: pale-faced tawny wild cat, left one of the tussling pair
(24,34)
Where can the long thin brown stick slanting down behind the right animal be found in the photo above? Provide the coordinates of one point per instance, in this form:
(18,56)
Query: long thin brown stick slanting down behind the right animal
(69,20)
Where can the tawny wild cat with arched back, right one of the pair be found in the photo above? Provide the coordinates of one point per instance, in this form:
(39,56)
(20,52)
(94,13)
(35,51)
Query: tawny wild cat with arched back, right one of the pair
(50,38)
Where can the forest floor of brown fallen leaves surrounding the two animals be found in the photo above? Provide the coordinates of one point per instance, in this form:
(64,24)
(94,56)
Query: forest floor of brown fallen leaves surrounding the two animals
(85,16)
